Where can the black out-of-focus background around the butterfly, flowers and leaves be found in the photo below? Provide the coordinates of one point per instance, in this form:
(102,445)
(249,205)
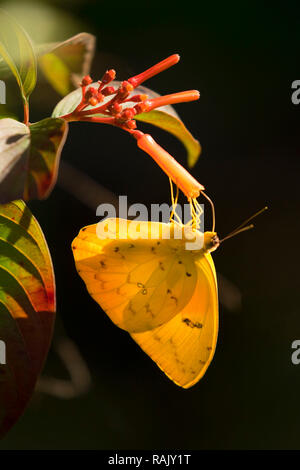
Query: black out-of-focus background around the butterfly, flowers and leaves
(243,59)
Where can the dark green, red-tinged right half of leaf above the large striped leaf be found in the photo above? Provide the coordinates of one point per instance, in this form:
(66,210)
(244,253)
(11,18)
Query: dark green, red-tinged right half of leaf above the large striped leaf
(47,140)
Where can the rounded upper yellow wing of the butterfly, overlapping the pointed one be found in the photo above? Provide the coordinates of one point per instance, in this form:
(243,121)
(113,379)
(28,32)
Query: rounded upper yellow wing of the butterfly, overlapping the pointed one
(141,283)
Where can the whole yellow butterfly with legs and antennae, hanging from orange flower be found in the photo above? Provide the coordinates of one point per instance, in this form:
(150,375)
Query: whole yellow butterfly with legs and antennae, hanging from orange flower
(149,284)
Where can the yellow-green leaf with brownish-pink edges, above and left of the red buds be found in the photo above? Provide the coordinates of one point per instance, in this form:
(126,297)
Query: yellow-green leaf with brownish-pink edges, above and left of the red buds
(64,64)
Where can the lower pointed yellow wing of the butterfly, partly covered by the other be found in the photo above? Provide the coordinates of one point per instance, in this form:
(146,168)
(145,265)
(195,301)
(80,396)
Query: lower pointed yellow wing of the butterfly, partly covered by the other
(184,347)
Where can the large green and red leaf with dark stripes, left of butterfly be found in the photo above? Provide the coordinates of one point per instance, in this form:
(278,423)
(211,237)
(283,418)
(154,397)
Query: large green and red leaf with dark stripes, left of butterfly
(27,308)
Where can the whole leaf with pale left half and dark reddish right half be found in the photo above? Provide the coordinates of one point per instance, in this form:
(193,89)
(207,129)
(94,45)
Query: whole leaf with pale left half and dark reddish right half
(29,158)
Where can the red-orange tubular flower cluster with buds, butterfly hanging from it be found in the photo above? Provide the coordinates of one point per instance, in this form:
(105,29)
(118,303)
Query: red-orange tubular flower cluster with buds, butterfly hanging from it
(111,111)
